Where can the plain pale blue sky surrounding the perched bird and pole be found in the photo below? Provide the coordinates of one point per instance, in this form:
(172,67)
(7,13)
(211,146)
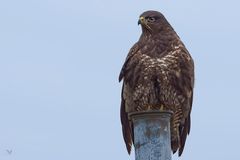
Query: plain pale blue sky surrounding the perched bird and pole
(59,66)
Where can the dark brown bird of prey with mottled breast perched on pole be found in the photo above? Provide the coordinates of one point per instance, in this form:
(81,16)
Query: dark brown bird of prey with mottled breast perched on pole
(158,74)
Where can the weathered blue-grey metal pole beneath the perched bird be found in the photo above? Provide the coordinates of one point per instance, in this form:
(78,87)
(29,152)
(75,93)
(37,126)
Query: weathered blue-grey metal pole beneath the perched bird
(152,135)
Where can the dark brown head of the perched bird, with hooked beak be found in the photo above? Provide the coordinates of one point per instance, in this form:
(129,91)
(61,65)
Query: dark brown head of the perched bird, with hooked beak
(153,22)
